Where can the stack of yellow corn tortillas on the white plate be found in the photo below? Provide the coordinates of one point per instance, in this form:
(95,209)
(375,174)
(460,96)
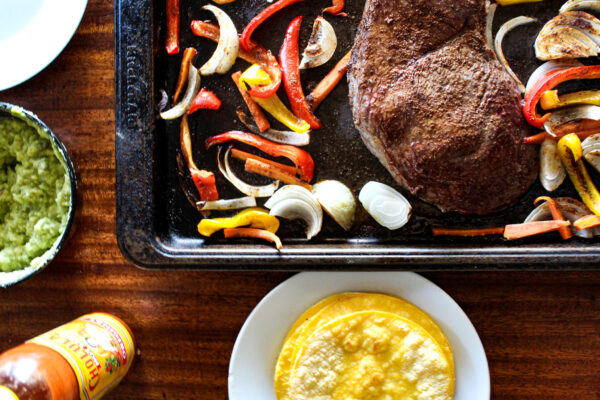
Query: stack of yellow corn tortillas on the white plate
(365,346)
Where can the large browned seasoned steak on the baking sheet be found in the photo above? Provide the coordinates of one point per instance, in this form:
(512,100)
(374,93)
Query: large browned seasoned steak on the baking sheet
(435,106)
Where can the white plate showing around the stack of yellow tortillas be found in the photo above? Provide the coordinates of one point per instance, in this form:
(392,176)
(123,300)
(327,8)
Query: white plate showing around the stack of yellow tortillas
(257,347)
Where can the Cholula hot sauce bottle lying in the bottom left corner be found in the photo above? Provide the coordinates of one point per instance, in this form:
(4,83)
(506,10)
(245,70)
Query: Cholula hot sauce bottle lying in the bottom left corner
(81,360)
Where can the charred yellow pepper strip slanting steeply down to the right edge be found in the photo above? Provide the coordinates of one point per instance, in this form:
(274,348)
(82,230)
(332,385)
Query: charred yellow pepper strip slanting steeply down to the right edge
(569,149)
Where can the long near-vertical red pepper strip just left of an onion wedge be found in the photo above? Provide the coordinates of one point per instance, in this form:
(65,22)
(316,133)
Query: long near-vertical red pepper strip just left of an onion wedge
(289,61)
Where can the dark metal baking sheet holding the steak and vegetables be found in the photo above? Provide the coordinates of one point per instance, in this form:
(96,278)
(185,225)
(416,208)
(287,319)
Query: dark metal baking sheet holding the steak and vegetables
(156,226)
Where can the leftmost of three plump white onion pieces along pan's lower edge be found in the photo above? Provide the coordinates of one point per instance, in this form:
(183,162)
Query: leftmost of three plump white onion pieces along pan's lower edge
(296,202)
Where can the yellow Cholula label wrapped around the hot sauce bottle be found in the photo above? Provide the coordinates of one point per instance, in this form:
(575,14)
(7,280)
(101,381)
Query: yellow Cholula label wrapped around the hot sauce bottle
(99,348)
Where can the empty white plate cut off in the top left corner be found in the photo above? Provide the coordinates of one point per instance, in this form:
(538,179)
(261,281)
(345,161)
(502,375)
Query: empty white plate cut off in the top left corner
(32,34)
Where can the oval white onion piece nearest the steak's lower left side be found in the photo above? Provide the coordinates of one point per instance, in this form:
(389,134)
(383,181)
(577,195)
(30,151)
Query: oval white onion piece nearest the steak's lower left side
(386,205)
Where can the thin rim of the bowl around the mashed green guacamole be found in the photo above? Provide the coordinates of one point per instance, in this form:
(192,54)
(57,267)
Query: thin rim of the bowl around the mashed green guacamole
(10,278)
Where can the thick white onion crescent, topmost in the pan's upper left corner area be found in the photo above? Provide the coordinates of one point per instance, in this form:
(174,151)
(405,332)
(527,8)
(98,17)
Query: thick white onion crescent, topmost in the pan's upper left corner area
(228,47)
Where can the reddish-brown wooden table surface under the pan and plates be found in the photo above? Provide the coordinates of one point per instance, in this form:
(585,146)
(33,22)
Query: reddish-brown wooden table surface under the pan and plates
(541,330)
